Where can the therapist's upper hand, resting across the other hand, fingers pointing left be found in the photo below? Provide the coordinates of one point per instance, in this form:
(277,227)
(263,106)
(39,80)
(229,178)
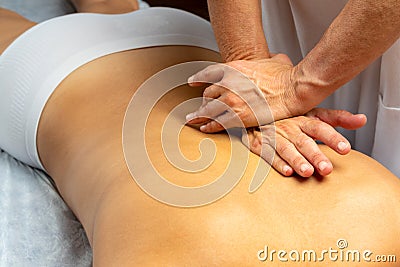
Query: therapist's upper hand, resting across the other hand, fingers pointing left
(271,79)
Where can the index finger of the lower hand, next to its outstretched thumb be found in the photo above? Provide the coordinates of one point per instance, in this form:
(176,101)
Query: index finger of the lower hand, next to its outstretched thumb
(328,135)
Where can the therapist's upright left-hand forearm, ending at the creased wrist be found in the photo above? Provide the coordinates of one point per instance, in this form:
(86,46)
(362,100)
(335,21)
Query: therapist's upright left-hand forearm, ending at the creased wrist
(238,29)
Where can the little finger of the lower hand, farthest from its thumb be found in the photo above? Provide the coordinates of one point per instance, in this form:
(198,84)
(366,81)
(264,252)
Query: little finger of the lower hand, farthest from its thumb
(259,146)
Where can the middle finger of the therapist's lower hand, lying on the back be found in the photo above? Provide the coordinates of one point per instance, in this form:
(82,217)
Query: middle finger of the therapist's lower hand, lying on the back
(310,150)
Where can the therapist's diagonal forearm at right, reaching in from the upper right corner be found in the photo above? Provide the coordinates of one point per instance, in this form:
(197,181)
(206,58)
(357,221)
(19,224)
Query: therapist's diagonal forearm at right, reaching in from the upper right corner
(361,33)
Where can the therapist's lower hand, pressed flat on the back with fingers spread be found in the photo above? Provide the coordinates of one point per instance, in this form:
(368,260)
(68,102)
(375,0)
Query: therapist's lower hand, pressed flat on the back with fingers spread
(293,141)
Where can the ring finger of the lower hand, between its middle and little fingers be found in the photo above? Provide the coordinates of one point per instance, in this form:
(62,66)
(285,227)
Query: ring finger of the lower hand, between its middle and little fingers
(288,152)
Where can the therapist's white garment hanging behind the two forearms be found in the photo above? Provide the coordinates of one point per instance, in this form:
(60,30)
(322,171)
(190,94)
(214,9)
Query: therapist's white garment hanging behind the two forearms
(294,27)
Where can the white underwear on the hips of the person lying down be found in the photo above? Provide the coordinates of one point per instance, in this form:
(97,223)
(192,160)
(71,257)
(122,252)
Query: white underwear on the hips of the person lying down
(34,65)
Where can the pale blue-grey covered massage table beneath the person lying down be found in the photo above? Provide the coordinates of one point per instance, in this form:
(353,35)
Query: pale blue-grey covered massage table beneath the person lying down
(36,227)
